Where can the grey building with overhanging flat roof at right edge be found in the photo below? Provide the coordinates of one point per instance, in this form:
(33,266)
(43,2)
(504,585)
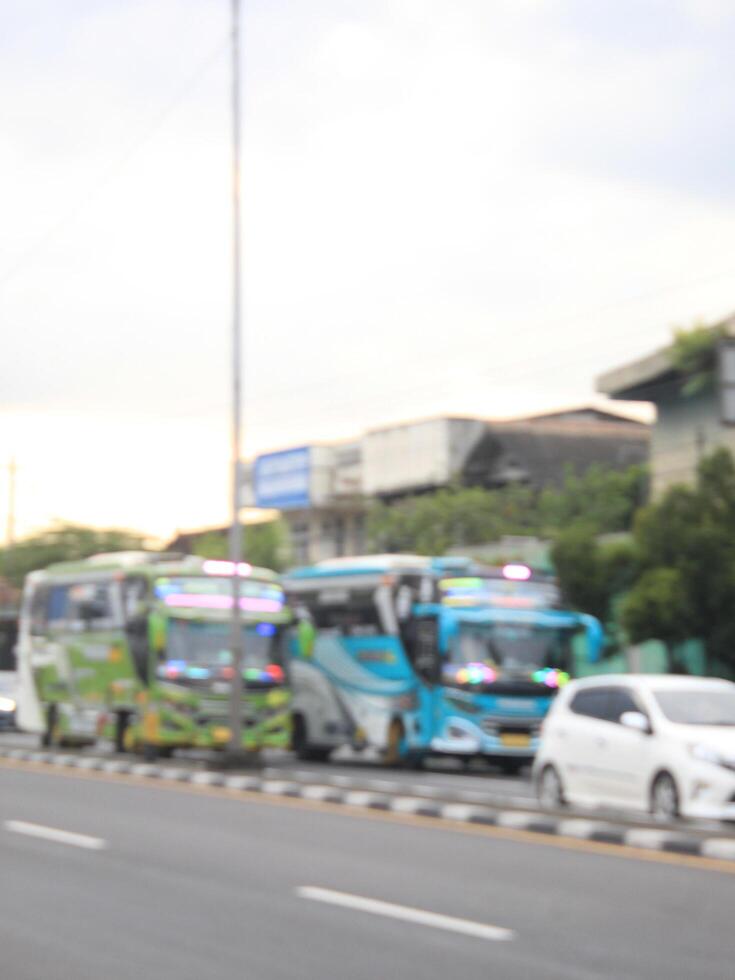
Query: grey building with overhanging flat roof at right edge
(688,424)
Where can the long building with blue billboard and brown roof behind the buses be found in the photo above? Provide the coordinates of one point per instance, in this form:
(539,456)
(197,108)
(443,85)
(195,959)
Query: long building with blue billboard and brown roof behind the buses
(323,491)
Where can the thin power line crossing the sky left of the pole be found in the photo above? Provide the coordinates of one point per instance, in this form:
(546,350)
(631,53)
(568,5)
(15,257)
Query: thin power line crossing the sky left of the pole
(107,176)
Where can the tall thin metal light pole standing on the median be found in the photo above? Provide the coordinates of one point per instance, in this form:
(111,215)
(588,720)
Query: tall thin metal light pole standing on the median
(237,645)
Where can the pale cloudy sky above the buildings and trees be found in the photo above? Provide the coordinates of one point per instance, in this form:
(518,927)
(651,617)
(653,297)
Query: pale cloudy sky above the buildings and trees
(449,206)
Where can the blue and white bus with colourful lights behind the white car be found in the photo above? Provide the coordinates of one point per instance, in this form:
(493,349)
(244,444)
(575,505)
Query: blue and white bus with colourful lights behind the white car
(414,656)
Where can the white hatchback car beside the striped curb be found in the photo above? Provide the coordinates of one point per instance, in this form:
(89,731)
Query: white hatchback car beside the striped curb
(659,743)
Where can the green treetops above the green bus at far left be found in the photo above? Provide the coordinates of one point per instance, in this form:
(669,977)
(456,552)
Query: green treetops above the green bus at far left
(63,542)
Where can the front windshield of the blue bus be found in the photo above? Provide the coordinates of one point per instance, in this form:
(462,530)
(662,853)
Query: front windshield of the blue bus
(512,646)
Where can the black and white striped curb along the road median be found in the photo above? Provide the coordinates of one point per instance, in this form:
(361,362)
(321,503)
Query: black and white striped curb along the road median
(647,838)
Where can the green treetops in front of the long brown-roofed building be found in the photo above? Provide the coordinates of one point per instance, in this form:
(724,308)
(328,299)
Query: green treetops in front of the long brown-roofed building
(605,500)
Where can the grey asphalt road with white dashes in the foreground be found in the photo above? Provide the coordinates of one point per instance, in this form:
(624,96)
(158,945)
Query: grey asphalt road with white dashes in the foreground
(183,883)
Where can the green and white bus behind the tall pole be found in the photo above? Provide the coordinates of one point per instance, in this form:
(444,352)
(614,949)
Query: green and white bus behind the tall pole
(135,647)
